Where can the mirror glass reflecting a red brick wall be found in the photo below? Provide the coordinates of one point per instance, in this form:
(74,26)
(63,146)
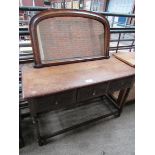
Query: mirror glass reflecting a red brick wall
(62,38)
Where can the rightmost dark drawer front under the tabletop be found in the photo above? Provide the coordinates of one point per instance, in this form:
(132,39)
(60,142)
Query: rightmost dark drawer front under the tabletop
(120,84)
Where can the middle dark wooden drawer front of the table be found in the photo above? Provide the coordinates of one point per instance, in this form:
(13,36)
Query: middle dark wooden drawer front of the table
(91,91)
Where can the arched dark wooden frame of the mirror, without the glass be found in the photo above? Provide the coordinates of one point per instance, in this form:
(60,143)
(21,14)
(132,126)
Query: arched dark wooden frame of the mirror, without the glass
(66,13)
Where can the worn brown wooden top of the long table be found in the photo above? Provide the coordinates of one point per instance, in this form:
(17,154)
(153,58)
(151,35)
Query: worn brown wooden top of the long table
(49,80)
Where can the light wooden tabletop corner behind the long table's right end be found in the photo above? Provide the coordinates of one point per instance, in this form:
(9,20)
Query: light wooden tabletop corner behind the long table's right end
(127,57)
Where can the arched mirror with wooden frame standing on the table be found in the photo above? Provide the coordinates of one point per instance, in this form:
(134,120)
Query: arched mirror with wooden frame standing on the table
(67,36)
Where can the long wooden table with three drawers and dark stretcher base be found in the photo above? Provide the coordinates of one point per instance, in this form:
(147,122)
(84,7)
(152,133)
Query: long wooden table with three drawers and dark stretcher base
(71,85)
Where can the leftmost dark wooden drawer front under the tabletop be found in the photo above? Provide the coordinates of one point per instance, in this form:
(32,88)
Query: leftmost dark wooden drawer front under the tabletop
(53,102)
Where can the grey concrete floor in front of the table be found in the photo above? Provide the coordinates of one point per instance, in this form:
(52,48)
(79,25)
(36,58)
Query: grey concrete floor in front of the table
(115,136)
